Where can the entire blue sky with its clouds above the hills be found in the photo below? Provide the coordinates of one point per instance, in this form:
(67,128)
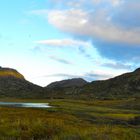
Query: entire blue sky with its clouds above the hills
(52,40)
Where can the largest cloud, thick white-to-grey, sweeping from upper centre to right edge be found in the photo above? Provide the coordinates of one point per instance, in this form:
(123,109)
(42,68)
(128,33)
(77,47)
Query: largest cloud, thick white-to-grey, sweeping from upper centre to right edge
(95,25)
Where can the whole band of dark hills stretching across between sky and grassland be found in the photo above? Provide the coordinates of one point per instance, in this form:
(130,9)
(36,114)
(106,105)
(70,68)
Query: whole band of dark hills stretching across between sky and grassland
(13,84)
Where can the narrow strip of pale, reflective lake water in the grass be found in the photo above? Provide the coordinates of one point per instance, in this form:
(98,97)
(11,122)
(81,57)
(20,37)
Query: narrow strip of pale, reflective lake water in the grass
(26,105)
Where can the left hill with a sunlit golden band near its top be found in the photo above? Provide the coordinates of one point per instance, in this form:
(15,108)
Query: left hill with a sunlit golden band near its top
(13,84)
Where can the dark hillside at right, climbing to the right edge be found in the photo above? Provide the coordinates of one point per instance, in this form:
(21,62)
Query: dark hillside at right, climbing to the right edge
(125,85)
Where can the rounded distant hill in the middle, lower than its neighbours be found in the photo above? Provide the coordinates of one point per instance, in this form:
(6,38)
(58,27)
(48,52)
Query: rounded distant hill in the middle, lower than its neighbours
(65,88)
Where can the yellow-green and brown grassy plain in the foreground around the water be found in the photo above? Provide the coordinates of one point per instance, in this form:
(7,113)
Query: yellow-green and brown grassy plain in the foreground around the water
(71,120)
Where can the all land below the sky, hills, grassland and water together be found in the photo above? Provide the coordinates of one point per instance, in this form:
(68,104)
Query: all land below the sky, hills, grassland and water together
(79,110)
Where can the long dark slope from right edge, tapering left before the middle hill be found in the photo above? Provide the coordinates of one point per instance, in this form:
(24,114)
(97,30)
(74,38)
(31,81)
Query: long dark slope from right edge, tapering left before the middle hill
(125,85)
